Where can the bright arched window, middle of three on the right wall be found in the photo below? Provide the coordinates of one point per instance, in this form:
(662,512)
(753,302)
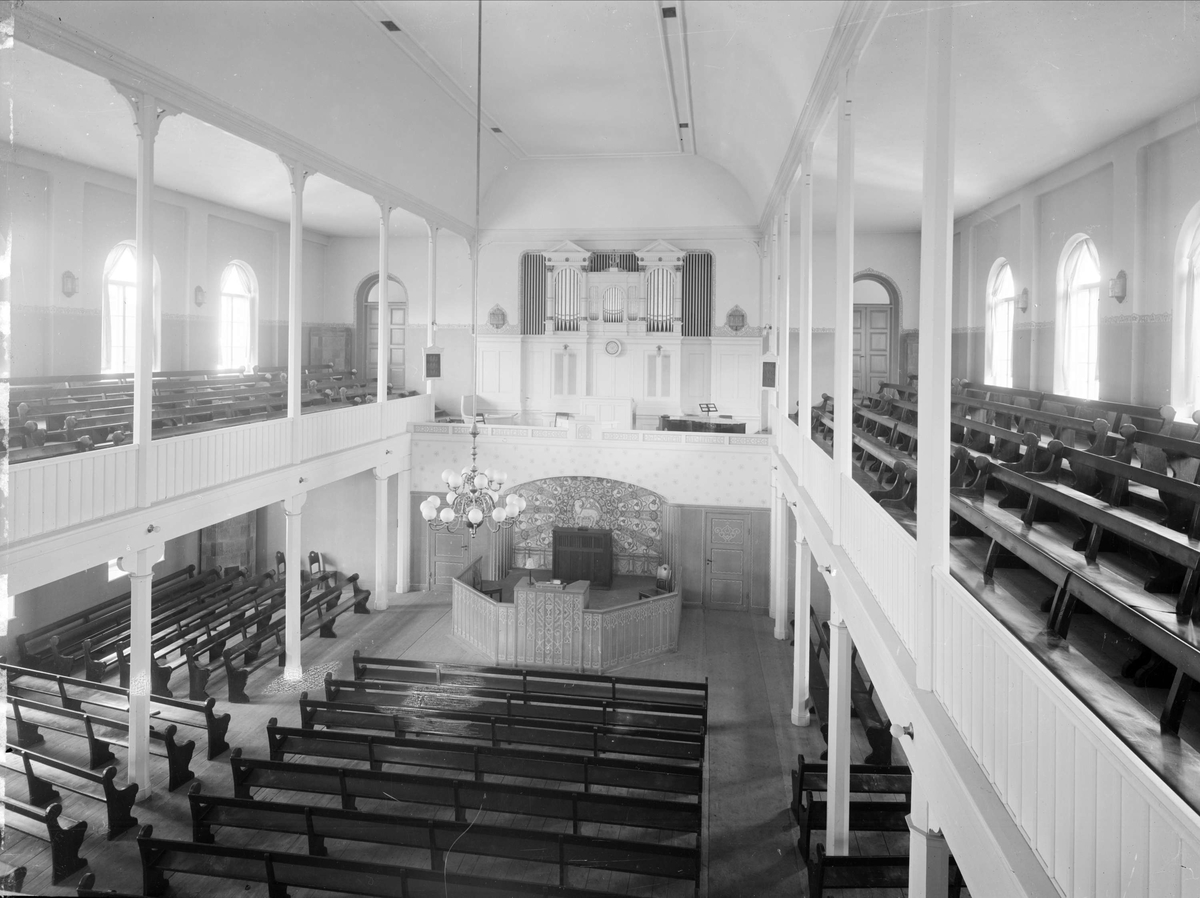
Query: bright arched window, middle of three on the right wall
(1078,326)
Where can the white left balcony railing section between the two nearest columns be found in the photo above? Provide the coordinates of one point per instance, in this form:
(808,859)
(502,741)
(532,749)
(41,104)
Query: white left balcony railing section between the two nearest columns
(201,462)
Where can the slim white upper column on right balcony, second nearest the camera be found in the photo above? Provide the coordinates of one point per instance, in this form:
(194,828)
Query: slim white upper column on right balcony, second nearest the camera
(844,328)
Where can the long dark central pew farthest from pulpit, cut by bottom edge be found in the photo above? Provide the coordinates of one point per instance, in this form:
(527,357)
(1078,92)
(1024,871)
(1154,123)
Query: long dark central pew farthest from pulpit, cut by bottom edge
(283,871)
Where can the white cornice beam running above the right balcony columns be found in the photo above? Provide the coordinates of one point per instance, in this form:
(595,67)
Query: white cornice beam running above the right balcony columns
(851,34)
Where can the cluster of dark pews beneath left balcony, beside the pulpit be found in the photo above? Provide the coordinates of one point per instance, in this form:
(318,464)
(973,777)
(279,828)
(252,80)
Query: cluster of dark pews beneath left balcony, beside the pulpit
(207,624)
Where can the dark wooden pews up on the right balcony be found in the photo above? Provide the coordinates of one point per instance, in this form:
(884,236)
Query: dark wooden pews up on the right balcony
(1101,499)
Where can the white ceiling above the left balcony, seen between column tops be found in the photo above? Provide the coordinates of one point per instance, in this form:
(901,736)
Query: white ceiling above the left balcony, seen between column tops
(63,111)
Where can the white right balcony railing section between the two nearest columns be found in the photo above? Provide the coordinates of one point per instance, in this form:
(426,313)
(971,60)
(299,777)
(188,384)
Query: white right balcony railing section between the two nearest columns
(885,556)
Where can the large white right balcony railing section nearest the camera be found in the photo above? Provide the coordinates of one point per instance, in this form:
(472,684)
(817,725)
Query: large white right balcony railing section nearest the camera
(1100,821)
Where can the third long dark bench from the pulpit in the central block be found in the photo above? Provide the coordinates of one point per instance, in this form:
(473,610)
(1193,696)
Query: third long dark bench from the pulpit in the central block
(499,731)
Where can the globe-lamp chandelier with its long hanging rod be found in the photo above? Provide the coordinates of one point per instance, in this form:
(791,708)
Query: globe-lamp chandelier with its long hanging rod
(475,495)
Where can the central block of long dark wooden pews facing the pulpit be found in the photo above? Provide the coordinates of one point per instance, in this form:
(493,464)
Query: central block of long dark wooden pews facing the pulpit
(428,780)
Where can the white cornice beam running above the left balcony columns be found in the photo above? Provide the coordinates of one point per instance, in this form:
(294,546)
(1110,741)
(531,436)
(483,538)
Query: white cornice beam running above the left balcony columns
(65,43)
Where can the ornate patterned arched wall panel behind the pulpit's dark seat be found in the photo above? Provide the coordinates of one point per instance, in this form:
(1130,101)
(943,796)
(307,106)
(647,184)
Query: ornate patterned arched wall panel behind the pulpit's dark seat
(634,514)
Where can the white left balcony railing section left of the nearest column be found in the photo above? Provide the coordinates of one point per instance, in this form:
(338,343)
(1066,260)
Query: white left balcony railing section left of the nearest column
(52,494)
